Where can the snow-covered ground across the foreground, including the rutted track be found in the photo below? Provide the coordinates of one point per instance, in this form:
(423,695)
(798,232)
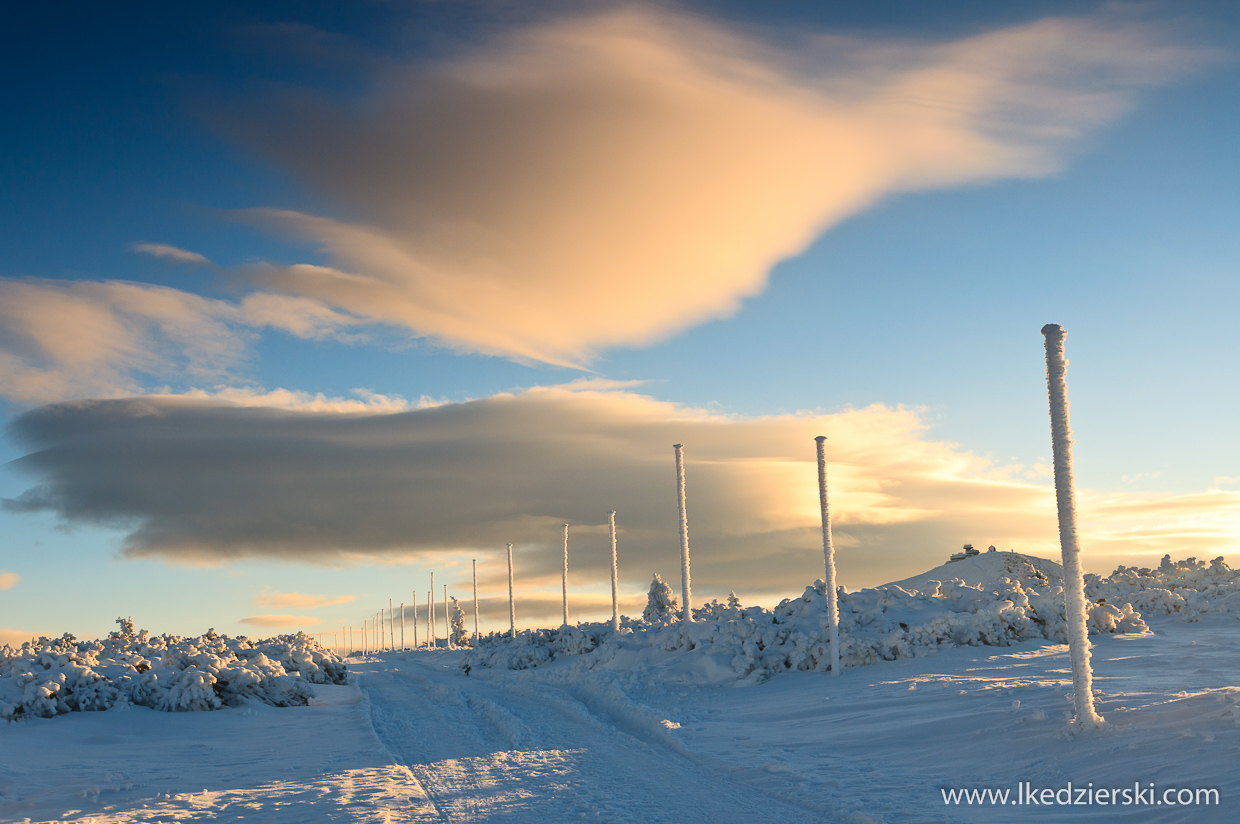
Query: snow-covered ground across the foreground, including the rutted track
(415,739)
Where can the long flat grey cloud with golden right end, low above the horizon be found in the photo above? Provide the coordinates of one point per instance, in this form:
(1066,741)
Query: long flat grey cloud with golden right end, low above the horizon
(204,481)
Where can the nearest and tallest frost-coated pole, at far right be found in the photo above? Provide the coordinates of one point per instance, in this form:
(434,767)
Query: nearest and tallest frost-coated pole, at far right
(1066,501)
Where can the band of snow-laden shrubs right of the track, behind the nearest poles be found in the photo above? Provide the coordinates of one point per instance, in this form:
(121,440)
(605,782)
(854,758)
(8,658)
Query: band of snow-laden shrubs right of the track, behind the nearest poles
(996,599)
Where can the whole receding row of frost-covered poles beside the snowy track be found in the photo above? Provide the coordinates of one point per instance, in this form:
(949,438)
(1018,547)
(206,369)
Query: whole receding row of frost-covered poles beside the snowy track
(1074,592)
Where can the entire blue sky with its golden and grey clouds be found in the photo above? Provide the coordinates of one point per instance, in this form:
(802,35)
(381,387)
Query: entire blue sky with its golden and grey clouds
(301,304)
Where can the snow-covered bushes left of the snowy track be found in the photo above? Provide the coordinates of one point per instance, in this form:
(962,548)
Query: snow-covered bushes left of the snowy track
(54,676)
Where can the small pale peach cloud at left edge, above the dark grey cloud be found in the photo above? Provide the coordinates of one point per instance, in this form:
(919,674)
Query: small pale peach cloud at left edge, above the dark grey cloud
(87,339)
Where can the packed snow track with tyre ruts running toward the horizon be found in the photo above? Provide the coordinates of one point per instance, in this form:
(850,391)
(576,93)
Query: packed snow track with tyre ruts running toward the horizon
(487,749)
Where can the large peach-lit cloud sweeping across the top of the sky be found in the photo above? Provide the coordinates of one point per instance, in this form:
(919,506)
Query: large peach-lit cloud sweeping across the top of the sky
(612,180)
